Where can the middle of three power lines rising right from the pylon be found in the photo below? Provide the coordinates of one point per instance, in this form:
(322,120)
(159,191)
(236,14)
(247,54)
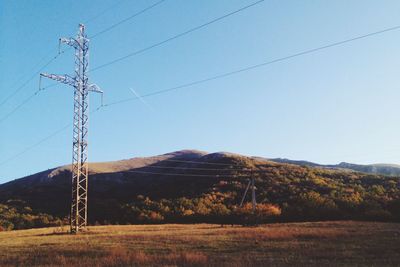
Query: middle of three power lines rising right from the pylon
(176,36)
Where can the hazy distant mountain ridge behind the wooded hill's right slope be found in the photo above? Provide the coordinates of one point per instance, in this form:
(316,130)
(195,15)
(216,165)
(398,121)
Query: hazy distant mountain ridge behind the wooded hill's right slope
(384,169)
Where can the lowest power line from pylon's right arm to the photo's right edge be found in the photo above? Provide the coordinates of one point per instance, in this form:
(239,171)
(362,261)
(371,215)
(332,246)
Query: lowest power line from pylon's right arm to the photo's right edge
(248,68)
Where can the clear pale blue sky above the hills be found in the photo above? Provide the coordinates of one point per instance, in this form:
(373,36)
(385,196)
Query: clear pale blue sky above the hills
(337,104)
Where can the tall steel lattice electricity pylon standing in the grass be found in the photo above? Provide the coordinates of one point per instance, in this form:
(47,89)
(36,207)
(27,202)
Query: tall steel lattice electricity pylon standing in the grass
(80,169)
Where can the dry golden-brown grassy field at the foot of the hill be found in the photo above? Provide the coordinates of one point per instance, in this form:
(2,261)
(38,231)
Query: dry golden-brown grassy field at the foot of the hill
(291,244)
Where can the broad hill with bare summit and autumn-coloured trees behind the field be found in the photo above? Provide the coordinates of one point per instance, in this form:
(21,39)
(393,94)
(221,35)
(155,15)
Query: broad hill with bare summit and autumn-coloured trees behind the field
(194,186)
